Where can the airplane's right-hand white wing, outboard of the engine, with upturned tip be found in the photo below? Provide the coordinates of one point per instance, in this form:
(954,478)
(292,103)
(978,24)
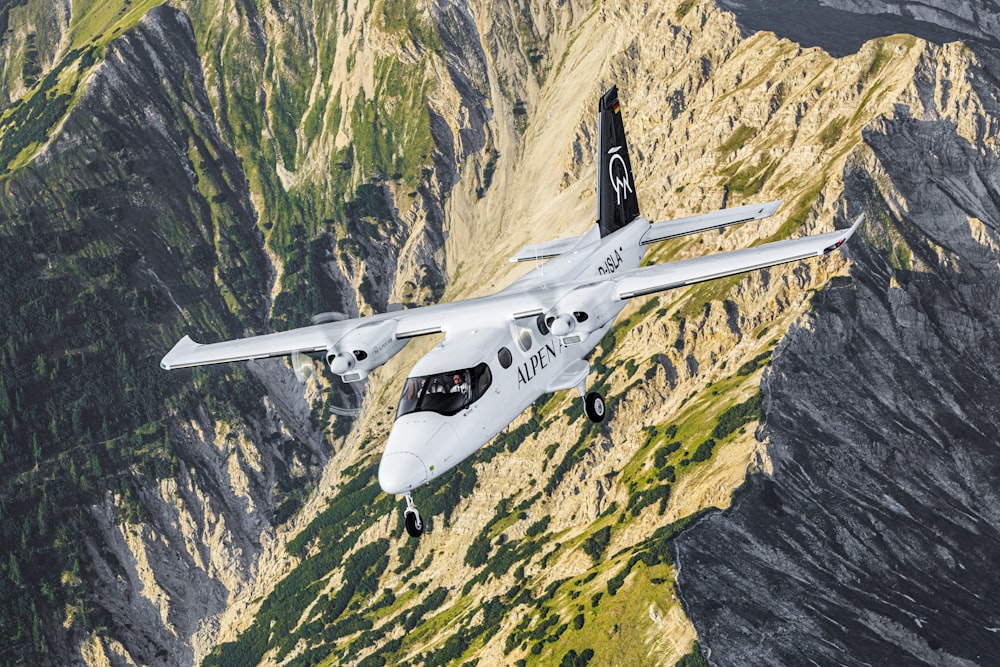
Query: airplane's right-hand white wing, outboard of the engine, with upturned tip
(661,277)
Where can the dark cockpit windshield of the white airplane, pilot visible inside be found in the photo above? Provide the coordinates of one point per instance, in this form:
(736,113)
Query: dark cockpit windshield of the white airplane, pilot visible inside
(445,393)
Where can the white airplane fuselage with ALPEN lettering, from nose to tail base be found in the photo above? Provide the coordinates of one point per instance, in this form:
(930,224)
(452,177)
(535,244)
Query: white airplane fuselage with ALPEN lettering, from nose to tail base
(506,368)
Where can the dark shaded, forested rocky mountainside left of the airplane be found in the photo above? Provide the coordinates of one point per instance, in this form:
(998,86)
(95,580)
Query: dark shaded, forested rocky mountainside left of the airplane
(138,214)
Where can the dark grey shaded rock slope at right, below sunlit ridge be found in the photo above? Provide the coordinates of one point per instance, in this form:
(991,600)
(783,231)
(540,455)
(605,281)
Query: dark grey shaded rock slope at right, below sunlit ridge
(871,541)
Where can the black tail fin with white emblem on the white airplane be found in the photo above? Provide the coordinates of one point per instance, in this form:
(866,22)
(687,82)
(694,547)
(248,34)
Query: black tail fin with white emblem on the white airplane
(617,204)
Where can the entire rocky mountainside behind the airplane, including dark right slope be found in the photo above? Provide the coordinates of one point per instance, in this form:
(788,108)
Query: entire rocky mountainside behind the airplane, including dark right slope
(212,169)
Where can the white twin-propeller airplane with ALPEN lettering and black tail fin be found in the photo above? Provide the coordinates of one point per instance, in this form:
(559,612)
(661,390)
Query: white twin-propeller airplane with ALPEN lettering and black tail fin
(502,352)
